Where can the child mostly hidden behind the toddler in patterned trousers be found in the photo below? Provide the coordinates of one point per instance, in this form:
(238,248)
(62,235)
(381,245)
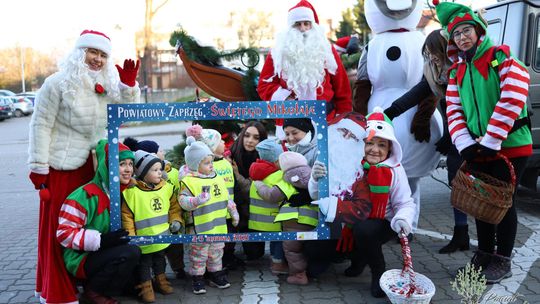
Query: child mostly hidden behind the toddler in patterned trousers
(223,168)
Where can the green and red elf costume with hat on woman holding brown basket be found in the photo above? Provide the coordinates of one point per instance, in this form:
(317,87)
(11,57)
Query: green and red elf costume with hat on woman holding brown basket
(498,97)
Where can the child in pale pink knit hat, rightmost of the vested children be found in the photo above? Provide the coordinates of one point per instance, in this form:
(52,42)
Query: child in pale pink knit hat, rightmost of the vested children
(296,214)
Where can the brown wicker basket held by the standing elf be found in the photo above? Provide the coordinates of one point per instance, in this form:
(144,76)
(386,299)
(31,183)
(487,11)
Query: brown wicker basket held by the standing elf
(481,195)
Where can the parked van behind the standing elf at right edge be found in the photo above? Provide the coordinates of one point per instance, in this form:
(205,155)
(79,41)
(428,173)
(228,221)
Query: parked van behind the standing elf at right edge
(517,23)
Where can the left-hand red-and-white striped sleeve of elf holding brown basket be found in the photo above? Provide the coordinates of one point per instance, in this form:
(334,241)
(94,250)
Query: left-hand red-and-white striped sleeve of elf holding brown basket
(457,126)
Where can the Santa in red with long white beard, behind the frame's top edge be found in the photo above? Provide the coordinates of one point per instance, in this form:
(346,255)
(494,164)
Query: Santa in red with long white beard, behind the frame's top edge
(303,65)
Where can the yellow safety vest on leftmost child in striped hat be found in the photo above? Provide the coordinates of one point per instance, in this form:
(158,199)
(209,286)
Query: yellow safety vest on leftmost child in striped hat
(151,212)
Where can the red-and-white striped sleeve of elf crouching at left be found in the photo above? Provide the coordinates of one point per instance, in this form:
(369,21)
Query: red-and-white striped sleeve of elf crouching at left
(71,232)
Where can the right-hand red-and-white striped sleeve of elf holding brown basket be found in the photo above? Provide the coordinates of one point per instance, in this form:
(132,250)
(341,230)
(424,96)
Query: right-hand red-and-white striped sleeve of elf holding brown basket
(514,84)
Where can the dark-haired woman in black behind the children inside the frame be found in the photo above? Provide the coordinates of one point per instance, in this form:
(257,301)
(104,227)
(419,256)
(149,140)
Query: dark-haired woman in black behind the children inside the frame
(243,154)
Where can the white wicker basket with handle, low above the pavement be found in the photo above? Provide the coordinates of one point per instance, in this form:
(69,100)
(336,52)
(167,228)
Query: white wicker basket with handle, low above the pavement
(392,276)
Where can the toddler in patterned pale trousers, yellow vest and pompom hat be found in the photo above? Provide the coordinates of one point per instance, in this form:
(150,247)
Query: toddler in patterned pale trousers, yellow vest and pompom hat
(204,194)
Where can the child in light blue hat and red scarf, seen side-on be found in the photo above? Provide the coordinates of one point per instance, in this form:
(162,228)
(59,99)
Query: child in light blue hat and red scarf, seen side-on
(263,210)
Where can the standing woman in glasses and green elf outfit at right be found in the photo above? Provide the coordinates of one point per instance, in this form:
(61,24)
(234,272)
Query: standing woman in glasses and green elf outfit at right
(487,116)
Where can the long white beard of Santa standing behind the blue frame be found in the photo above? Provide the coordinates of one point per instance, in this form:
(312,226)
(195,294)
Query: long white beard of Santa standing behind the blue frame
(302,59)
